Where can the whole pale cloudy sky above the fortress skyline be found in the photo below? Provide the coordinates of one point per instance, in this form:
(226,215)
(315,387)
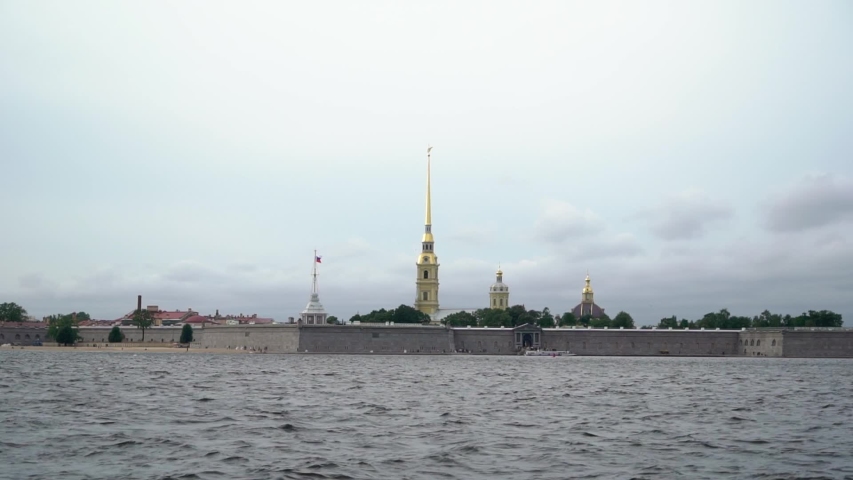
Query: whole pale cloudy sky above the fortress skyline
(690,155)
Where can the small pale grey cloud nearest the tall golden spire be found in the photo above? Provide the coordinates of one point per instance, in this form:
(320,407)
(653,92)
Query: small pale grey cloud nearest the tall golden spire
(561,221)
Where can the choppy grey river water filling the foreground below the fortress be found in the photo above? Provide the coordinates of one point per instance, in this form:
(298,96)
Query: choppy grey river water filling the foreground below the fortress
(119,415)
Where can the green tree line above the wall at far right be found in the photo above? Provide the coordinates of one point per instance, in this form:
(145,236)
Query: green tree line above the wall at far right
(726,321)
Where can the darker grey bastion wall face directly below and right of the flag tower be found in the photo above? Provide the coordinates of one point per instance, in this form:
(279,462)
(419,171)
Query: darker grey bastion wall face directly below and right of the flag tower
(363,338)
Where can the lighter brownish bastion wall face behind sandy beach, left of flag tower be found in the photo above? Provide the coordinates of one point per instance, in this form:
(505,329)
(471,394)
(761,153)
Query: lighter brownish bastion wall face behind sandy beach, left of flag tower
(269,338)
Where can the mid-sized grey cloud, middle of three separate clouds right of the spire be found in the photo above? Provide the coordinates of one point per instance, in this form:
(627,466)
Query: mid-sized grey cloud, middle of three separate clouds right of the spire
(686,216)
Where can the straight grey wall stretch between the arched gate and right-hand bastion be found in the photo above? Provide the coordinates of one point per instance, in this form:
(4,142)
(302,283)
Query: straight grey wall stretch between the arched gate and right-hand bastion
(642,342)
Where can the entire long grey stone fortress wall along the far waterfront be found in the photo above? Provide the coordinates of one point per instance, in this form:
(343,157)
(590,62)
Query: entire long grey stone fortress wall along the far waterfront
(438,340)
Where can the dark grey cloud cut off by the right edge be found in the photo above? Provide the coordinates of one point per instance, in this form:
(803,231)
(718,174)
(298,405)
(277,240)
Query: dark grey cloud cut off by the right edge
(814,202)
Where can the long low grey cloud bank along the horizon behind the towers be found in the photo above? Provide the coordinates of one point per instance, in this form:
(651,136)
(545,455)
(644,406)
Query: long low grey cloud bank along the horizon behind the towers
(745,276)
